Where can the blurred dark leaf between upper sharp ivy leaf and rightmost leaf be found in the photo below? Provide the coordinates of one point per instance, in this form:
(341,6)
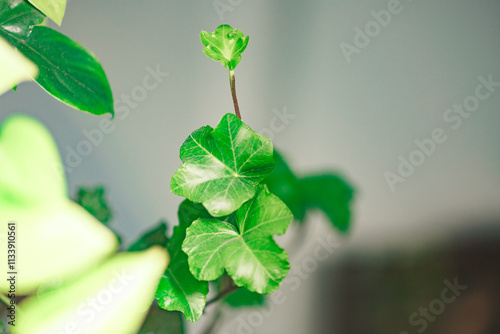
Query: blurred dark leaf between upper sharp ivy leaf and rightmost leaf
(283,183)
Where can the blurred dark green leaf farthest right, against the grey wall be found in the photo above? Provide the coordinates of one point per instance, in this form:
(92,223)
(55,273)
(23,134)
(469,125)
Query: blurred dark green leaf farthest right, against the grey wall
(330,194)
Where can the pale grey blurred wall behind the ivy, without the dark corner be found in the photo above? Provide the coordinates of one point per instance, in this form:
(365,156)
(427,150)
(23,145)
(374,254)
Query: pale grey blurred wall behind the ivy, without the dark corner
(355,117)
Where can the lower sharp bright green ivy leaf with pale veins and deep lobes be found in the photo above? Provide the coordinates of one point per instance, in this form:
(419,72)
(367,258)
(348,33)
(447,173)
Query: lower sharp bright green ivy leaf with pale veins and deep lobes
(247,252)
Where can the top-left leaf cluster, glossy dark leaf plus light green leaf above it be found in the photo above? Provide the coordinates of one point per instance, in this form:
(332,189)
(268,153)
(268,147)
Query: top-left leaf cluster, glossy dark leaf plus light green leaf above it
(67,70)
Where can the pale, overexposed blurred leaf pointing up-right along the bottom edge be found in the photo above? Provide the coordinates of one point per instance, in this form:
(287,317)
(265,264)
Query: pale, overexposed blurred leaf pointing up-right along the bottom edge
(113,298)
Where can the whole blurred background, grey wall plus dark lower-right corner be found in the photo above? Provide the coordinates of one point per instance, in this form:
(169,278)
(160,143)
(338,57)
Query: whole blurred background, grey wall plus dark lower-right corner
(400,97)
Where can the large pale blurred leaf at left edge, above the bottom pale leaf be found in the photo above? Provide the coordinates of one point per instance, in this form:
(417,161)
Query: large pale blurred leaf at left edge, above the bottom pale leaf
(33,196)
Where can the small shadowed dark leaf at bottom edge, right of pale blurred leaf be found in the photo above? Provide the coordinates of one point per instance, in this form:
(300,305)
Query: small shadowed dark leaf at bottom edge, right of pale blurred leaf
(159,321)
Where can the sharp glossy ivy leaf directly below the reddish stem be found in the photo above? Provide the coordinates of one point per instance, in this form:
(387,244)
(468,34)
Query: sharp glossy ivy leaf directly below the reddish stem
(223,166)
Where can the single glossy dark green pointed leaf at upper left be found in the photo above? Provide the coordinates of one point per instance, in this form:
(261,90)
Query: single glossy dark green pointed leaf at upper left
(67,71)
